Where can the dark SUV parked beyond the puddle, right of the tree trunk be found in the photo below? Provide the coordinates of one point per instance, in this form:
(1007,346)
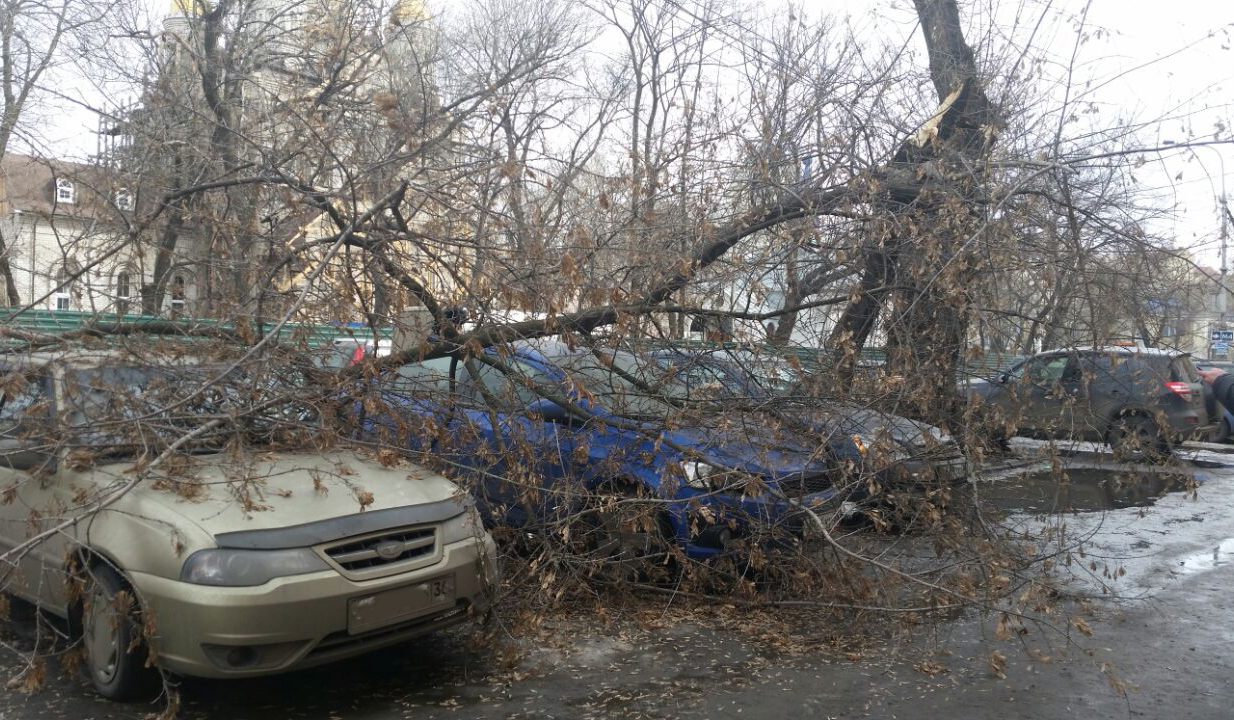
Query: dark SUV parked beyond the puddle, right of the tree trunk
(1140,401)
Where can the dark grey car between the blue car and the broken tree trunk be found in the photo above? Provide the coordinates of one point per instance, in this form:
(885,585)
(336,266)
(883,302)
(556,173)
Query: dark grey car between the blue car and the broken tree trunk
(914,453)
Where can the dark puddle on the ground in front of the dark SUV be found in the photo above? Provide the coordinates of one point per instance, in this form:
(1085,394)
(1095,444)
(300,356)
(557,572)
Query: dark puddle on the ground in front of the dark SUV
(1082,491)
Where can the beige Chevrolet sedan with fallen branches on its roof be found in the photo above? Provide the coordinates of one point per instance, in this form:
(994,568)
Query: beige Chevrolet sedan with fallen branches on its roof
(252,559)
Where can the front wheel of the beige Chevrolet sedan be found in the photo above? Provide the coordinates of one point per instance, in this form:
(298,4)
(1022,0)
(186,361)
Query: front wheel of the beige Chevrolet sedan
(115,664)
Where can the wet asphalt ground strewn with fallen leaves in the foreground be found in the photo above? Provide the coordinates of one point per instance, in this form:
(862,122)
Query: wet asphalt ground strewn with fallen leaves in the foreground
(1161,635)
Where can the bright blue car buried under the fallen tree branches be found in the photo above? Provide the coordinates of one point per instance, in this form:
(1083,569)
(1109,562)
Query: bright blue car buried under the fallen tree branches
(563,428)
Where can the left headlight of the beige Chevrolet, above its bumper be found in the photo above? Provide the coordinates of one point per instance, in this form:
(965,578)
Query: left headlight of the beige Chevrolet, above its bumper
(236,569)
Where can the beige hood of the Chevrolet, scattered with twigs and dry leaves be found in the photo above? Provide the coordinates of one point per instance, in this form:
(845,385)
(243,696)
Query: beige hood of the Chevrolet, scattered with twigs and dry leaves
(235,493)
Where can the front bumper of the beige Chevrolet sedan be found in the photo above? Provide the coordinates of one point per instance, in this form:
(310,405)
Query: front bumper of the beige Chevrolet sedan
(312,619)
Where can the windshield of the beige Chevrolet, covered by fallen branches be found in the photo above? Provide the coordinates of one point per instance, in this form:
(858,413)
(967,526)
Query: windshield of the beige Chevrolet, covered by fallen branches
(123,407)
